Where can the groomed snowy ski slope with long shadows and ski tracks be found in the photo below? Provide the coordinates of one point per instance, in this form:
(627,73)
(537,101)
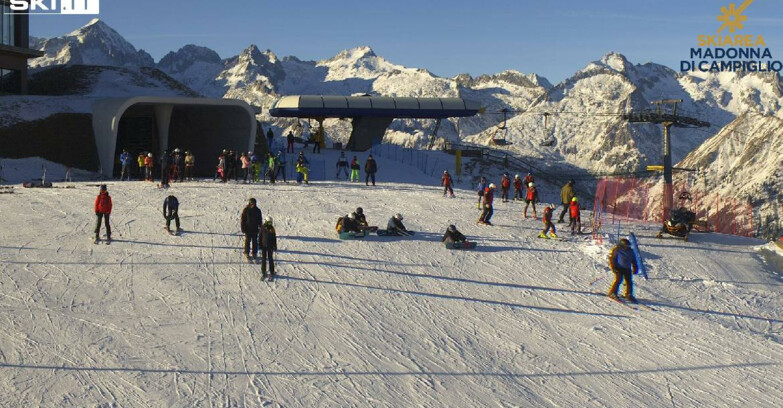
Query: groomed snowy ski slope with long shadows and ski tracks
(154,320)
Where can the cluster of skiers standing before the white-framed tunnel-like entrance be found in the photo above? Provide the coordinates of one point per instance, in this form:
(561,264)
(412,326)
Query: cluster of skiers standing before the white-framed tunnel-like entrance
(174,166)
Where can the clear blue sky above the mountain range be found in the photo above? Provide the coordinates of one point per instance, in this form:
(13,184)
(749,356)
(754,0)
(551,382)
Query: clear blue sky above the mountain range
(551,38)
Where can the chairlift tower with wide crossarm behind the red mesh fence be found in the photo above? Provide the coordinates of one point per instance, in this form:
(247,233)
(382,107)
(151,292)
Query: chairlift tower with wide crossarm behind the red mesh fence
(667,119)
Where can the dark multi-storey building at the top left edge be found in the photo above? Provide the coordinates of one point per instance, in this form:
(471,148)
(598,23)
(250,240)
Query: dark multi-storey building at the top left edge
(14,50)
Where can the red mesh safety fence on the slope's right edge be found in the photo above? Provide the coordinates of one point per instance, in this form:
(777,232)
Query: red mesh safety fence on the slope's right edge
(618,199)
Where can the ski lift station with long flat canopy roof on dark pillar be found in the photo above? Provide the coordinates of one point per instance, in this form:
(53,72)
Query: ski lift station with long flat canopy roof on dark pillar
(371,115)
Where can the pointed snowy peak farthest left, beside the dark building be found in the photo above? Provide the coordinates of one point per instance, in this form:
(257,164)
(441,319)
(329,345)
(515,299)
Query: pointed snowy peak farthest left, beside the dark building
(94,44)
